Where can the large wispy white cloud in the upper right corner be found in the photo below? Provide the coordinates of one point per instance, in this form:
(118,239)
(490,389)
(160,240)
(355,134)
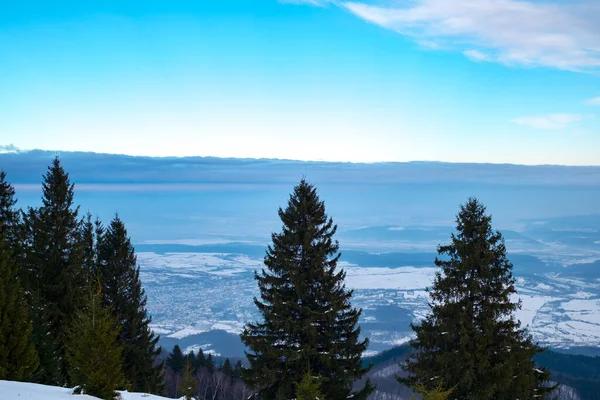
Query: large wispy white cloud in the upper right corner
(563,35)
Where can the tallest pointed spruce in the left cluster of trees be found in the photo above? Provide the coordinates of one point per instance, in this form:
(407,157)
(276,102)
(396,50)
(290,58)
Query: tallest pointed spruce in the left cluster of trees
(53,270)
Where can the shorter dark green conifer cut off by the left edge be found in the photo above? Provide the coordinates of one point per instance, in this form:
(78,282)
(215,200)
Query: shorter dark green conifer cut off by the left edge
(18,358)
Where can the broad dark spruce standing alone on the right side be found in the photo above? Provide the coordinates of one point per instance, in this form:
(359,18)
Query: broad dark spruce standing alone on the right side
(470,340)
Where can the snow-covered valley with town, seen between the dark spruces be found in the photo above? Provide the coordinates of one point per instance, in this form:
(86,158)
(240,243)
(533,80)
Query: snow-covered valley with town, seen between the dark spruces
(201,296)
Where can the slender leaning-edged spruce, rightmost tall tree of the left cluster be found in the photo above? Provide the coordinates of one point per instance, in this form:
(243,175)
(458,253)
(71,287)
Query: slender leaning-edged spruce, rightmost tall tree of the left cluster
(123,292)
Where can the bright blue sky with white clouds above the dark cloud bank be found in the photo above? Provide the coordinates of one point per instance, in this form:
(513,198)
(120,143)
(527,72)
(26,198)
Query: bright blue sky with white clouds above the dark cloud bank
(379,80)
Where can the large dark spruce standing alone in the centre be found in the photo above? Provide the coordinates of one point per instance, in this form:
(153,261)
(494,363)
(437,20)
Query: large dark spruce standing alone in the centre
(307,318)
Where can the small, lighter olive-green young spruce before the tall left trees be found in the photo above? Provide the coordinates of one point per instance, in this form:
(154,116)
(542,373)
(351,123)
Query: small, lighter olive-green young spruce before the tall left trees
(94,352)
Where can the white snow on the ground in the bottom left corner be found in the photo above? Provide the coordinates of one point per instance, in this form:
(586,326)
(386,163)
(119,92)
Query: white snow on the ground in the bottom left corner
(25,391)
